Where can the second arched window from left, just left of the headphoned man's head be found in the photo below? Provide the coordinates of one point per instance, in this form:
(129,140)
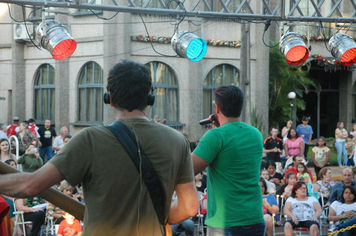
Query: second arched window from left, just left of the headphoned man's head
(90,93)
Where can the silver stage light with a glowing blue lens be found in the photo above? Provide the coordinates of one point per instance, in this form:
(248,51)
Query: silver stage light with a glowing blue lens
(187,44)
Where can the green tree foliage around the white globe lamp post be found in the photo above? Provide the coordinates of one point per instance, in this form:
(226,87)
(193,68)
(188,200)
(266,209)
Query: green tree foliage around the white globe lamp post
(282,80)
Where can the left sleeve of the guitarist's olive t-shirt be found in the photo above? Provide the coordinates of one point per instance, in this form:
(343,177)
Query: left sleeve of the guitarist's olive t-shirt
(73,159)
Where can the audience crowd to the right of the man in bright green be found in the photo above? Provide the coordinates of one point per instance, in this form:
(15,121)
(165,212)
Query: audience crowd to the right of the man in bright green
(302,197)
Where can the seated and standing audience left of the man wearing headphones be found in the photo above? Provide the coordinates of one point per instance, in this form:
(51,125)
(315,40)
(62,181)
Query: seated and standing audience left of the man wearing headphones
(35,146)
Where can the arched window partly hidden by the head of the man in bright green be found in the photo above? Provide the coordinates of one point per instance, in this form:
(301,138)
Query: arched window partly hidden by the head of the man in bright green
(223,74)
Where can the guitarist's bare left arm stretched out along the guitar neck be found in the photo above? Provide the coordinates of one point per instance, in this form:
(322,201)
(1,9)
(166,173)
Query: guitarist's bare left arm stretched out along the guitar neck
(23,185)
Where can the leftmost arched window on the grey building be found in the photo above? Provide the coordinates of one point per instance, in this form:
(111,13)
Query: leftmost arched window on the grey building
(44,91)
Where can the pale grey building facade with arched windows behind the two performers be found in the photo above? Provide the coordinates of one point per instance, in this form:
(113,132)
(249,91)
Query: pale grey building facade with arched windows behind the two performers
(69,92)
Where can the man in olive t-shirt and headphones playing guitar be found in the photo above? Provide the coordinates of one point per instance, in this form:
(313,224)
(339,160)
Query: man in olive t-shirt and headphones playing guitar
(117,201)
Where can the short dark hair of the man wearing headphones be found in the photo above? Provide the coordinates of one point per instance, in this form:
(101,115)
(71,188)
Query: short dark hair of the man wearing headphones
(129,84)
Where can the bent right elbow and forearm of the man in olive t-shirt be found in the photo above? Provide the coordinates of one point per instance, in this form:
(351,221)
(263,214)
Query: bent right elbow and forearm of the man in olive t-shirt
(187,203)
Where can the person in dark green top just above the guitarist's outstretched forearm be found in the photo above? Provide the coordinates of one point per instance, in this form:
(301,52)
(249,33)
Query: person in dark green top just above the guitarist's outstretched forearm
(31,160)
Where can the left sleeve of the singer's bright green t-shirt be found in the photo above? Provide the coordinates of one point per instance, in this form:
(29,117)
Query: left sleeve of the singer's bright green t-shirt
(209,146)
